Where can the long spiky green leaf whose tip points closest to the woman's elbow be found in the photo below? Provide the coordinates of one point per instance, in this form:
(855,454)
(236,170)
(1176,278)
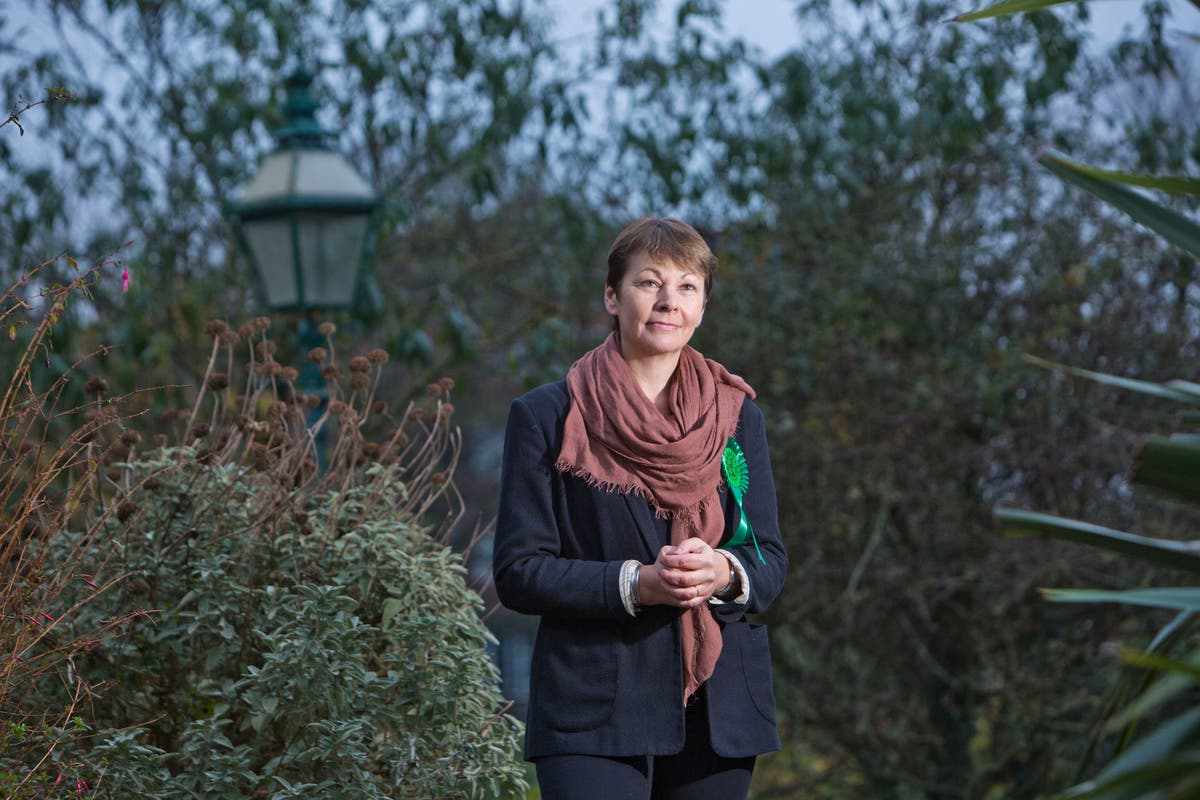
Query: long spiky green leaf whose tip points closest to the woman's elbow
(1018,522)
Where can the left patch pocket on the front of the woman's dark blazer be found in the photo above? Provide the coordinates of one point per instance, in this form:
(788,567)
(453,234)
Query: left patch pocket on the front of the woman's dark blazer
(577,673)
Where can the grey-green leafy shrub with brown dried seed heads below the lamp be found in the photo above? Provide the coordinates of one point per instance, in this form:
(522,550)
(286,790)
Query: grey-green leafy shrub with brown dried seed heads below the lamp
(285,631)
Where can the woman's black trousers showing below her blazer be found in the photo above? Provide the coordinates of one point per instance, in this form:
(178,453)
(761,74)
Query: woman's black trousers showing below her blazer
(694,774)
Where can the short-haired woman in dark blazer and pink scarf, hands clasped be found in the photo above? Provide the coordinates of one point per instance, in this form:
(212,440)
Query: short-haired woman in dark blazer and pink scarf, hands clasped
(619,527)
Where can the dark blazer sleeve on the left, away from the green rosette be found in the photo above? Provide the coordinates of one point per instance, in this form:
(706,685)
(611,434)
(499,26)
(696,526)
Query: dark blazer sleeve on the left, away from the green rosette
(530,572)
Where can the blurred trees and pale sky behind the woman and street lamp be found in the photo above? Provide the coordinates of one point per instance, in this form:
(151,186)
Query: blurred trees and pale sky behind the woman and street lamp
(890,251)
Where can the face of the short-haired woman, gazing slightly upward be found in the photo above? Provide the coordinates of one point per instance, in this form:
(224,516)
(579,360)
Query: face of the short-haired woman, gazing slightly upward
(659,306)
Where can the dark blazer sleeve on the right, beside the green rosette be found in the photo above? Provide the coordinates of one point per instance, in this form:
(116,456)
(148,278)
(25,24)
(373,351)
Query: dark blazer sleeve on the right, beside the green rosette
(759,503)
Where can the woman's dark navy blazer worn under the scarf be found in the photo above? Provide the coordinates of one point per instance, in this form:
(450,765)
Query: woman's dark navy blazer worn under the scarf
(604,683)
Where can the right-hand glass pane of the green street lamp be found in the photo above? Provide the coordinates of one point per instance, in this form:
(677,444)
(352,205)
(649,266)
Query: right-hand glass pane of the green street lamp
(331,251)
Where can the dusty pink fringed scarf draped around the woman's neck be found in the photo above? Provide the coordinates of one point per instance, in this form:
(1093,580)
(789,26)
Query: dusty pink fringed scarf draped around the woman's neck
(616,440)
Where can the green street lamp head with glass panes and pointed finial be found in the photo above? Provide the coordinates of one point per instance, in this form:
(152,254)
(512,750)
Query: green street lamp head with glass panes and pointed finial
(304,220)
